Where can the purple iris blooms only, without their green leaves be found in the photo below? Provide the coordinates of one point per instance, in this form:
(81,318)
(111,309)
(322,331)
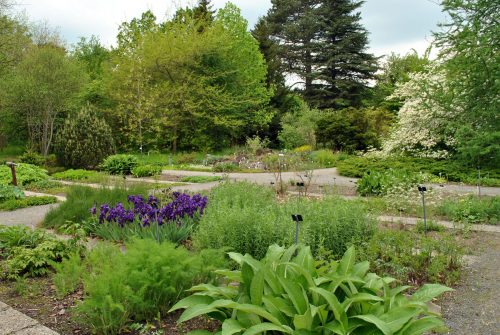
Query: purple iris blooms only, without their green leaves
(149,211)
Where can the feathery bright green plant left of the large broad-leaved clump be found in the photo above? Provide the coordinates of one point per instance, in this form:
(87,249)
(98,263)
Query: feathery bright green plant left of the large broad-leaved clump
(139,284)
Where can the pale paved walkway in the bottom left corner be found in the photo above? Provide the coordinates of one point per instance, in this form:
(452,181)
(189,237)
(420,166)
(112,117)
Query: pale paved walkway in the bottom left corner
(13,322)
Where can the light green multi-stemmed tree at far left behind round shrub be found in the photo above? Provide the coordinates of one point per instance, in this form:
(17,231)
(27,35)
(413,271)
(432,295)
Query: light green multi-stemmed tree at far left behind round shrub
(40,90)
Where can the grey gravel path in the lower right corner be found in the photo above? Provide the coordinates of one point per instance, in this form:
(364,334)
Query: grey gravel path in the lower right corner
(474,308)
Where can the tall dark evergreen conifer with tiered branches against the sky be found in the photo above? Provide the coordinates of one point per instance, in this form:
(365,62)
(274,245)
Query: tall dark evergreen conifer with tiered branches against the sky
(323,43)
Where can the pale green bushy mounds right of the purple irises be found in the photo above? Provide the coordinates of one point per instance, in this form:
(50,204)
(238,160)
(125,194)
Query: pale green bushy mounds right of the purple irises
(247,218)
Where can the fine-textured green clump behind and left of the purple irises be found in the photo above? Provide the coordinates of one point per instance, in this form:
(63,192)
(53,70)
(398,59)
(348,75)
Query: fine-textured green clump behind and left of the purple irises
(80,199)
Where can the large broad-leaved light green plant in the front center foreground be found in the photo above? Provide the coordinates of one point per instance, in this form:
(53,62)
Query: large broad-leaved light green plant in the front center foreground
(287,292)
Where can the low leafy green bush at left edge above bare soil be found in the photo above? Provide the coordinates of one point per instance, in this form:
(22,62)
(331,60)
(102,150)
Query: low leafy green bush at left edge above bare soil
(30,253)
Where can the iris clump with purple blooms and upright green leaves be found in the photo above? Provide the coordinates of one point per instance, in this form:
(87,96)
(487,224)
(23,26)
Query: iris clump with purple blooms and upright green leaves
(162,220)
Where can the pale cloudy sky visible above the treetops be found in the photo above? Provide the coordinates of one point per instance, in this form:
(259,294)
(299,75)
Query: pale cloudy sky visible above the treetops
(394,25)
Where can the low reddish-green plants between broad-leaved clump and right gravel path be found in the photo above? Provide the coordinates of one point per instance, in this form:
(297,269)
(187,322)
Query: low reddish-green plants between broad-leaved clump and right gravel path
(414,258)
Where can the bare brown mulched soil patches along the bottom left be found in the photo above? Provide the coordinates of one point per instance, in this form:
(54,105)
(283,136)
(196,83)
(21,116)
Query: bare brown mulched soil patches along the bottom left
(40,303)
